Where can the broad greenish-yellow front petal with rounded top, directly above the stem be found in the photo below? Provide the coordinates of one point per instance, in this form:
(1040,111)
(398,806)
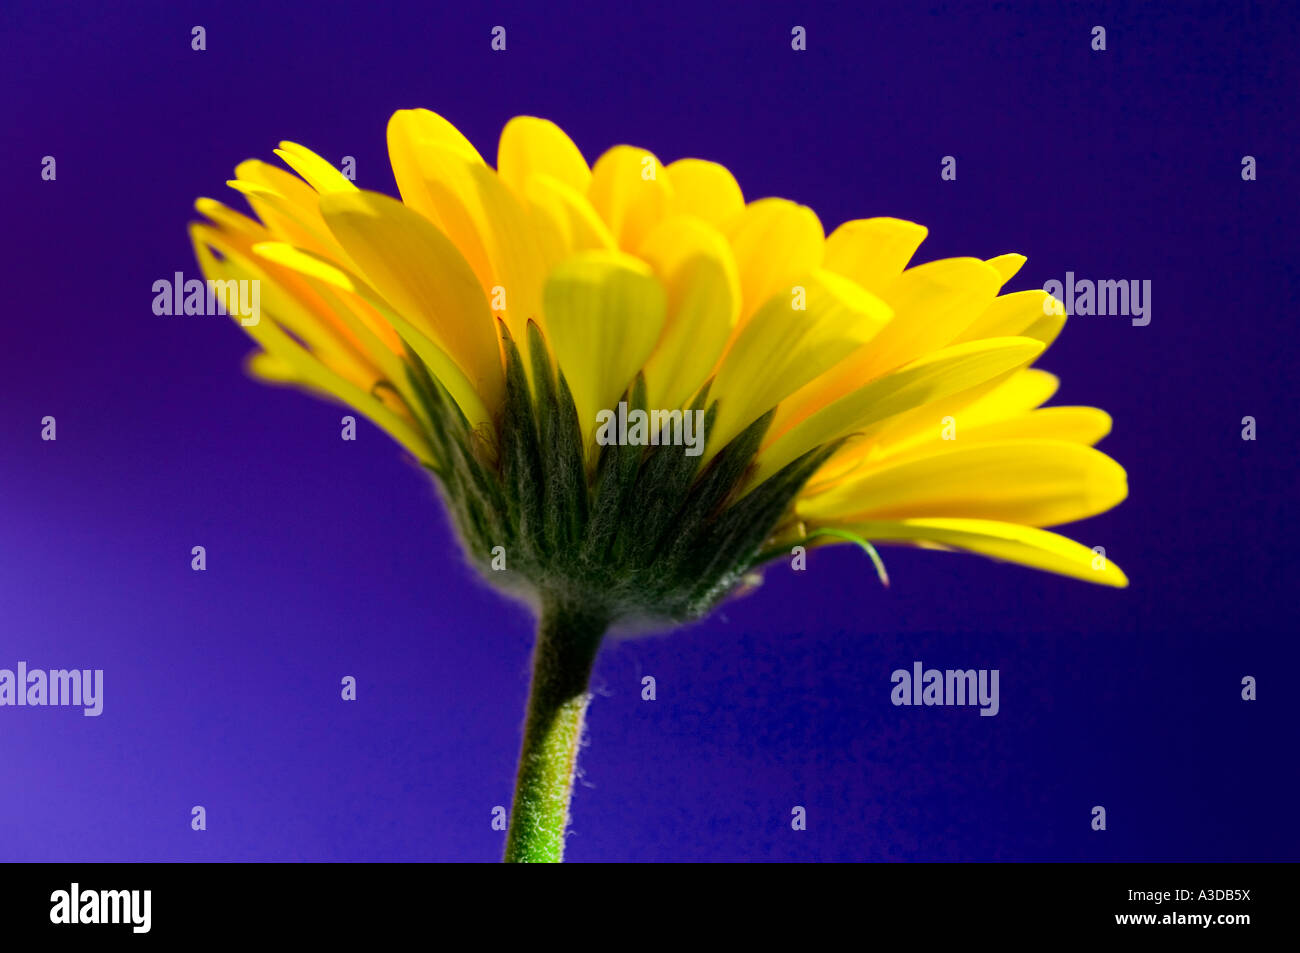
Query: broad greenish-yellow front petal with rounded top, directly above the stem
(605,311)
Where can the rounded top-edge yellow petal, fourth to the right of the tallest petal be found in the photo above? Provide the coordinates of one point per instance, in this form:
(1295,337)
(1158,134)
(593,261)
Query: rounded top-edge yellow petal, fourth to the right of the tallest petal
(775,242)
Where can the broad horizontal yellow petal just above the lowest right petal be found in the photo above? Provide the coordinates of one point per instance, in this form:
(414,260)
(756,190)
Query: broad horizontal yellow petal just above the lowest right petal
(1035,483)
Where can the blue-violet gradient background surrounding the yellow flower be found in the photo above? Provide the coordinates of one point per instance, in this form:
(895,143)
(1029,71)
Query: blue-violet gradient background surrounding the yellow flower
(330,558)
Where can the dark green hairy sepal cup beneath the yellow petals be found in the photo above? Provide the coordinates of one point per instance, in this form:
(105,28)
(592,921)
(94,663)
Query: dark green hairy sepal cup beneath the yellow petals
(639,532)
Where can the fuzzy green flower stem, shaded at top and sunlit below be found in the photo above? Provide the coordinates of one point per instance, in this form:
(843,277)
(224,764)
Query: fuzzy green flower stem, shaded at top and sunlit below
(567,642)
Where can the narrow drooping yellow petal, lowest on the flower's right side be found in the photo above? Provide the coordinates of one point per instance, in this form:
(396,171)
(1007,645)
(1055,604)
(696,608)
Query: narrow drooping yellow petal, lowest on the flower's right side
(1003,542)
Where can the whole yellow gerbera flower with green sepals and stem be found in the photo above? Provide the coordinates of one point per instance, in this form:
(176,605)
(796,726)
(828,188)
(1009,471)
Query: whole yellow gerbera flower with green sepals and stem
(492,319)
